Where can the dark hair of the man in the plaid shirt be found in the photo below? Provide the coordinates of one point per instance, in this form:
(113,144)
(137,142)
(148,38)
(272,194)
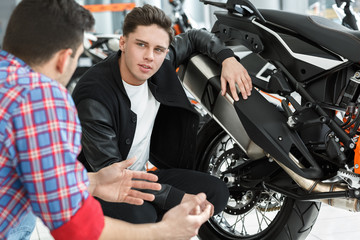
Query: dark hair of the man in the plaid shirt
(37,29)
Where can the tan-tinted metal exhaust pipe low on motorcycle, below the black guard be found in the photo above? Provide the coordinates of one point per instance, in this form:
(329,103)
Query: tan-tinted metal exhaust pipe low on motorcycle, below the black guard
(350,204)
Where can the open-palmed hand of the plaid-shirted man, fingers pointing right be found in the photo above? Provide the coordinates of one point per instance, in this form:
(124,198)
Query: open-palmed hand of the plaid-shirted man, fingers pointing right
(116,183)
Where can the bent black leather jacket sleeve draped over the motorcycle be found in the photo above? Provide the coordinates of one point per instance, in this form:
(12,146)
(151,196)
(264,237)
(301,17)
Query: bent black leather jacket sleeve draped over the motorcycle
(197,41)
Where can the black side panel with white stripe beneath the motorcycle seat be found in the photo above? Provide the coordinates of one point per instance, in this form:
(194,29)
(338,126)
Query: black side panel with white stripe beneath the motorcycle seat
(282,45)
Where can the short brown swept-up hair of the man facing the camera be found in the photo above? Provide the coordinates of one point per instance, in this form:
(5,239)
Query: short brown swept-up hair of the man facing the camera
(146,16)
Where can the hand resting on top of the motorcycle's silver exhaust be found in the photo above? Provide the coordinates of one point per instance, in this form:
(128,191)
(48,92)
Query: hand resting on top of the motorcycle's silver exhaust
(235,75)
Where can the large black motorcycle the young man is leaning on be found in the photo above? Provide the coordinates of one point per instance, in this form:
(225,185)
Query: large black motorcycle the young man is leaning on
(294,143)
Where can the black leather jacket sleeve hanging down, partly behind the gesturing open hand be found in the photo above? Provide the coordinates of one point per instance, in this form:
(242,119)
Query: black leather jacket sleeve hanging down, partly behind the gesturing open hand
(100,147)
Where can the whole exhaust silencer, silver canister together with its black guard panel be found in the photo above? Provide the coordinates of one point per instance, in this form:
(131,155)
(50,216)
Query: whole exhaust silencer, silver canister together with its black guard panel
(255,117)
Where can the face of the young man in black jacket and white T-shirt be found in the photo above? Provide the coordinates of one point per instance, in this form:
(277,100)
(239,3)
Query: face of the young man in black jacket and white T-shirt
(143,53)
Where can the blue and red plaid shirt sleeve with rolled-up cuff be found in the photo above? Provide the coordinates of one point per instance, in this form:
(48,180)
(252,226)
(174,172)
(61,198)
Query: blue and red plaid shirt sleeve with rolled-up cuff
(47,142)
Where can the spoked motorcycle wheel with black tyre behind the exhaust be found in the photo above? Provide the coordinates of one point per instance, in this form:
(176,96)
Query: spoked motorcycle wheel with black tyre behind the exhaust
(250,213)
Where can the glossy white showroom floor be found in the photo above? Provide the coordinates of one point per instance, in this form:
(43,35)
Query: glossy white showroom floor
(332,224)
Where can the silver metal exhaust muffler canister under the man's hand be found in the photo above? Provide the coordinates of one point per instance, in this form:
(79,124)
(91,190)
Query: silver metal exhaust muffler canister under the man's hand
(201,77)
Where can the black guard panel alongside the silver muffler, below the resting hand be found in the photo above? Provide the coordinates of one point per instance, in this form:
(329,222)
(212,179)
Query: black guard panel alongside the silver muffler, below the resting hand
(267,127)
